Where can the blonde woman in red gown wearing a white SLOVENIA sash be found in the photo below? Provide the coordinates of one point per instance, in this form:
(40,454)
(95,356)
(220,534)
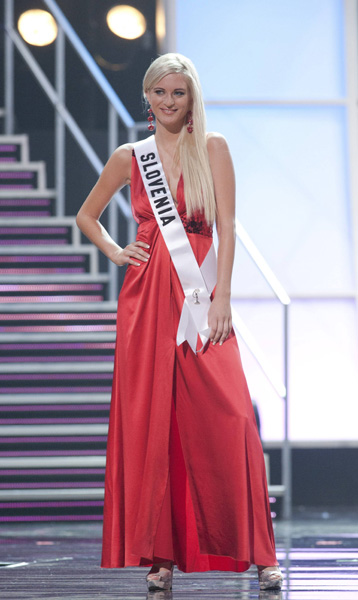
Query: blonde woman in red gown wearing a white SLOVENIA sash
(185,477)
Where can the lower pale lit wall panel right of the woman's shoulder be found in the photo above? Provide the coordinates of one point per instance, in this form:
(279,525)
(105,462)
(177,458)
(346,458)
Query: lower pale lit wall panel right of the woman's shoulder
(292,195)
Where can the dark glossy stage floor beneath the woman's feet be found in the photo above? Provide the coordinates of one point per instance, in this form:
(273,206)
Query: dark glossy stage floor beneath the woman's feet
(318,554)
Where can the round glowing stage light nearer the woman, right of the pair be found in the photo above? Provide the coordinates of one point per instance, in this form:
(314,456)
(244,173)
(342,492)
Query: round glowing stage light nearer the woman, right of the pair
(126,22)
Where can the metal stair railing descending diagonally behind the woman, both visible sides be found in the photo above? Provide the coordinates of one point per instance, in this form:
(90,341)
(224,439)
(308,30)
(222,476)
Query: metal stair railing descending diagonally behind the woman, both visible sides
(117,112)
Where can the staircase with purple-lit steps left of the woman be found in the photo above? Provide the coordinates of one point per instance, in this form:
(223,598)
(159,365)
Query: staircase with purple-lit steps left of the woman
(57,335)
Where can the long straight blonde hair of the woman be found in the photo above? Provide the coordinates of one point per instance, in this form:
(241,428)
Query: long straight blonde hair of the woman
(191,151)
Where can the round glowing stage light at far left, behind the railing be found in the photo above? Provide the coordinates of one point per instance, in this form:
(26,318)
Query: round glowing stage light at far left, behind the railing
(37,27)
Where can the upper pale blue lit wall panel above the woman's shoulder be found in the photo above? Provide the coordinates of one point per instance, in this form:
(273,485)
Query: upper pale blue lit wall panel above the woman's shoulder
(264,48)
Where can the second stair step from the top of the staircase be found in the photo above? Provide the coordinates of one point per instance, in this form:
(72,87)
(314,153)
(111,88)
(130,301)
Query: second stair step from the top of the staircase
(22,176)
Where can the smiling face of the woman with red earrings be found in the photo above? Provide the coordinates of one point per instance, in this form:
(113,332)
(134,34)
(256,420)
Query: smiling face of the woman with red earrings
(170,100)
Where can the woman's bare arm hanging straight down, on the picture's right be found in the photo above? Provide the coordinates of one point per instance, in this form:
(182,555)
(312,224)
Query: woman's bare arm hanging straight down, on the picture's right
(219,317)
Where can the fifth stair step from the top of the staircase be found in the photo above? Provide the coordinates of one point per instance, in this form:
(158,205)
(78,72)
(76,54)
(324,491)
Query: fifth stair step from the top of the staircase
(18,260)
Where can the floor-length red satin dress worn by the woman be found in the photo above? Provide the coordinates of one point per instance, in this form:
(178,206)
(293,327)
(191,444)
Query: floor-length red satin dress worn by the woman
(185,475)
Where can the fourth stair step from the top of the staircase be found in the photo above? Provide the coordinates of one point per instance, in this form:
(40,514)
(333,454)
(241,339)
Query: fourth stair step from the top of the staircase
(29,232)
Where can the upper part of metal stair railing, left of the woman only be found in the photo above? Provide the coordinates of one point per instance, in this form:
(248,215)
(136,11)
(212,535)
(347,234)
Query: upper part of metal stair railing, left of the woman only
(56,94)
